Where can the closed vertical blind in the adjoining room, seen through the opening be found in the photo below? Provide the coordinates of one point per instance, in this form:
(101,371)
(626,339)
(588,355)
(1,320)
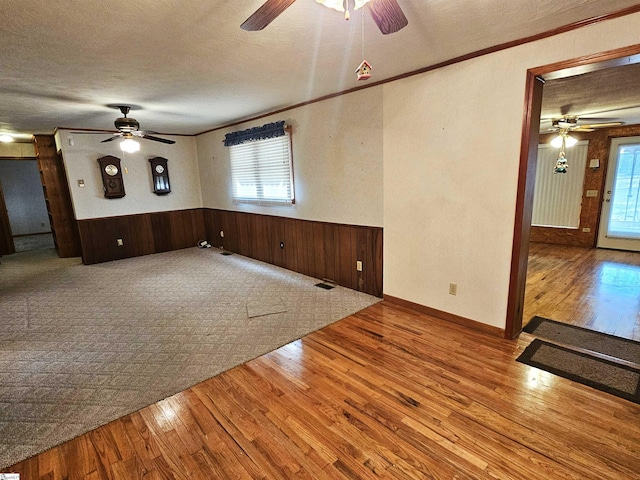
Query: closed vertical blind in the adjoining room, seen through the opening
(557,197)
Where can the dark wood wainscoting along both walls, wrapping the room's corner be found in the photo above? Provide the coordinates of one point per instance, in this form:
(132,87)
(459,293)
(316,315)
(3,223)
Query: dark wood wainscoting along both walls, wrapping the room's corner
(318,249)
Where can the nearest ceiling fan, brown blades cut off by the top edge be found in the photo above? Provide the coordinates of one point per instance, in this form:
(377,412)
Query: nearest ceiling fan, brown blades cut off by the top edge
(387,14)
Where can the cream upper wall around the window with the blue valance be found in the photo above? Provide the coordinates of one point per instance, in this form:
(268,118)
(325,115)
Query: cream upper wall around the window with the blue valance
(337,161)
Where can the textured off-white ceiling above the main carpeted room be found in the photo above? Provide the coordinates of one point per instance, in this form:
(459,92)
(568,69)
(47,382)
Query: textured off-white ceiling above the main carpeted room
(188,67)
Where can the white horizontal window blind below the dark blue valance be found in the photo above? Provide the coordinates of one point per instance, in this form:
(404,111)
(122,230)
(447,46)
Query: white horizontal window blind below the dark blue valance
(262,171)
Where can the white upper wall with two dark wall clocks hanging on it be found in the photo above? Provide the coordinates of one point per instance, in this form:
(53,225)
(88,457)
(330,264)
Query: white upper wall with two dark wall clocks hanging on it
(88,202)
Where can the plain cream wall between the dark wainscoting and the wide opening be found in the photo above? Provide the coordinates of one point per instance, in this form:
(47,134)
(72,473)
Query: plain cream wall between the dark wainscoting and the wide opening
(451,156)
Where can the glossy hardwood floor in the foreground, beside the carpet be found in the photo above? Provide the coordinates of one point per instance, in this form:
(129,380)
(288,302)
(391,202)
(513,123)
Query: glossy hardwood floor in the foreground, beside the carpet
(386,393)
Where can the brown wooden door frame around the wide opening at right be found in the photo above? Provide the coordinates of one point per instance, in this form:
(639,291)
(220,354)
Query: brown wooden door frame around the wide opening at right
(527,167)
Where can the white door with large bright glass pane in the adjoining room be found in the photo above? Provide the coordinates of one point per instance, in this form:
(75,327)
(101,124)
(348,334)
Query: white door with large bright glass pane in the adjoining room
(620,217)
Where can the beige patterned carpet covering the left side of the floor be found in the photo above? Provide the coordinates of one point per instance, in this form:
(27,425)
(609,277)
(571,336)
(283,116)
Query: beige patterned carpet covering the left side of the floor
(83,345)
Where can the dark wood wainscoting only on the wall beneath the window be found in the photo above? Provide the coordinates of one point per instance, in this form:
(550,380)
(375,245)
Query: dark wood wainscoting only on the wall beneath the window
(319,249)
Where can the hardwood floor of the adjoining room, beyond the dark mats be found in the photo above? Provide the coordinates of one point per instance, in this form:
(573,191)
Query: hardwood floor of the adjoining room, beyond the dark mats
(592,288)
